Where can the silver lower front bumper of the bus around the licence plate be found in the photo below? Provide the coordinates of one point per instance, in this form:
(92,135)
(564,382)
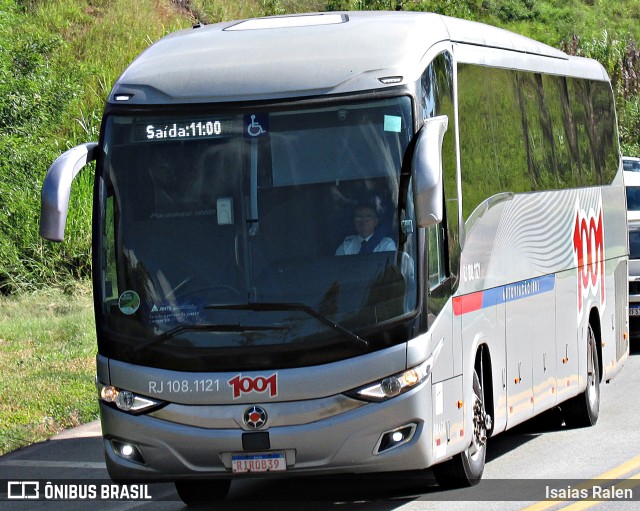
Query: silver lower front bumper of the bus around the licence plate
(356,441)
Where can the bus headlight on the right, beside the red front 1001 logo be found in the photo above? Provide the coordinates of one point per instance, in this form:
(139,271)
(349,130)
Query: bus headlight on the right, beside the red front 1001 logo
(398,384)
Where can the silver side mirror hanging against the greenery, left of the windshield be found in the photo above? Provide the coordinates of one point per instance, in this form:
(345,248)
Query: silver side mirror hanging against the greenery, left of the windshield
(56,189)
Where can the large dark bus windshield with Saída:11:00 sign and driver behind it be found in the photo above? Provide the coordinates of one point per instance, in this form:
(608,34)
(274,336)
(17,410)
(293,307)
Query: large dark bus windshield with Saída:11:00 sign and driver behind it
(255,239)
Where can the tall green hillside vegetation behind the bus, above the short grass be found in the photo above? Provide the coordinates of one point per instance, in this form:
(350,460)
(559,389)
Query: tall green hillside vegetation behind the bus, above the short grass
(59,58)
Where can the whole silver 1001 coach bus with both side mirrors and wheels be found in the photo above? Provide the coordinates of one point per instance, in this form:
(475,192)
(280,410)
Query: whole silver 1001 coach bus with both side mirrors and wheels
(348,242)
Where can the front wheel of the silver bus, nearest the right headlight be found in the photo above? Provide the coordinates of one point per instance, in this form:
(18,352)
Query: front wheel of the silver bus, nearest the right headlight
(465,468)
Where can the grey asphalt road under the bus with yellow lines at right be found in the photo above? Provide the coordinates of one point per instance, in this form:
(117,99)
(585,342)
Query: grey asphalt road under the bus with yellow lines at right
(521,463)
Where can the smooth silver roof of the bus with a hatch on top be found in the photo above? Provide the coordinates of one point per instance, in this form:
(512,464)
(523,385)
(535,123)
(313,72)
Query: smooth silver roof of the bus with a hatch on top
(301,55)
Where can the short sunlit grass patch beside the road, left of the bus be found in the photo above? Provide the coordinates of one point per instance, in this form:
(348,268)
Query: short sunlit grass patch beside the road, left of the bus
(47,355)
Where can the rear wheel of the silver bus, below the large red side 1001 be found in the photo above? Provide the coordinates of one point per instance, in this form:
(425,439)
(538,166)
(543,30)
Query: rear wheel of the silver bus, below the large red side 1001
(583,410)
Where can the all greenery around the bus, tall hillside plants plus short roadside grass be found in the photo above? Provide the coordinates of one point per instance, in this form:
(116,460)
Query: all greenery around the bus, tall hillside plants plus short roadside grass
(58,60)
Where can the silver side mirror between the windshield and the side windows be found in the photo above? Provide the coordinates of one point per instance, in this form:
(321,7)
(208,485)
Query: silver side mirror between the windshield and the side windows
(426,167)
